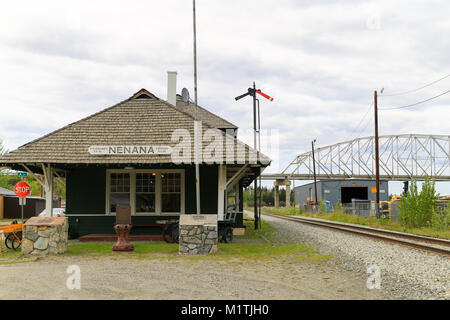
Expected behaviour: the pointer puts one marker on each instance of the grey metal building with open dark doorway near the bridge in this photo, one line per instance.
(342, 191)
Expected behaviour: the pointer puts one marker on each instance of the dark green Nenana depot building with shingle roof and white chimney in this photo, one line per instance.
(140, 152)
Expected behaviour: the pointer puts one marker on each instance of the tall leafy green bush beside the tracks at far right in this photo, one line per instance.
(416, 209)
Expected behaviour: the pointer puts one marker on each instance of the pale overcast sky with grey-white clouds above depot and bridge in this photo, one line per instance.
(320, 60)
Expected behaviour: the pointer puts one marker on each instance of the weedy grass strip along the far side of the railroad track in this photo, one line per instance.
(370, 222)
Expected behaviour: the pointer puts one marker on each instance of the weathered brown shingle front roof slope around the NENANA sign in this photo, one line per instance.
(142, 120)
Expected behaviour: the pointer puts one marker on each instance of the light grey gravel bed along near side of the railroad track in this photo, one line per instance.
(406, 273)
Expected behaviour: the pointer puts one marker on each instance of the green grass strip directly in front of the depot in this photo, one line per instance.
(256, 245)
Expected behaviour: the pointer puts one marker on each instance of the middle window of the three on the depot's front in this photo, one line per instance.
(145, 192)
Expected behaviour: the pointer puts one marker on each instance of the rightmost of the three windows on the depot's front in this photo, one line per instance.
(170, 192)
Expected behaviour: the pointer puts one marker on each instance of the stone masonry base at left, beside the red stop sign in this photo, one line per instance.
(45, 235)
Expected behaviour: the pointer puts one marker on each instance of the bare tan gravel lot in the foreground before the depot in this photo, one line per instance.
(122, 277)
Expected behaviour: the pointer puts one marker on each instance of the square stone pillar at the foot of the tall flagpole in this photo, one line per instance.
(198, 234)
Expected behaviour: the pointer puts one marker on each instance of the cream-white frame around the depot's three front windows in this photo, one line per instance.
(158, 193)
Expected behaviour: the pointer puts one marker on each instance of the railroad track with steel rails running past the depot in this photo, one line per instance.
(441, 246)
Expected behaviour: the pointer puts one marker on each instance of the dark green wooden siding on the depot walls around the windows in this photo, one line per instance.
(86, 194)
